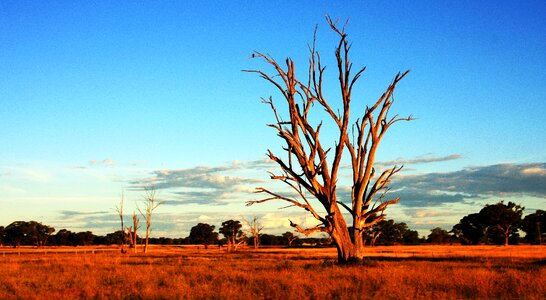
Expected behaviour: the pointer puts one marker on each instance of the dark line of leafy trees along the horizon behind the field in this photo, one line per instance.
(498, 224)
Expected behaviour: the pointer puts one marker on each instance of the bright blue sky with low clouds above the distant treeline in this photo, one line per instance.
(97, 98)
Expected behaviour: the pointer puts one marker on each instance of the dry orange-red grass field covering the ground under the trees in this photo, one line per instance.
(399, 272)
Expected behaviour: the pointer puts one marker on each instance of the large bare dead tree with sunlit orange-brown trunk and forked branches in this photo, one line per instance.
(310, 168)
